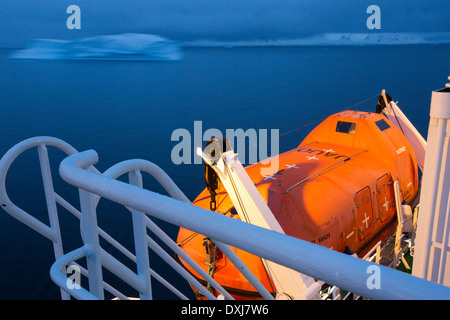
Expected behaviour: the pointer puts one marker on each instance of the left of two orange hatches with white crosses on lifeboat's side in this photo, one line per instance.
(363, 202)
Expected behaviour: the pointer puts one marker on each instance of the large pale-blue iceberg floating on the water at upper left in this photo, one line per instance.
(129, 46)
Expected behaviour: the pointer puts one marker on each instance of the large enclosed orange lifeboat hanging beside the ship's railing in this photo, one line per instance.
(336, 189)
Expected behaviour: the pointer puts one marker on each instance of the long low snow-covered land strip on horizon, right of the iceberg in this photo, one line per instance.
(335, 39)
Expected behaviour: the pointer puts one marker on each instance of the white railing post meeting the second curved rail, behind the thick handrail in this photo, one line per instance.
(140, 241)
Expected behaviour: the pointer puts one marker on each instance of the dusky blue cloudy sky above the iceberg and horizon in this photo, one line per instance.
(215, 19)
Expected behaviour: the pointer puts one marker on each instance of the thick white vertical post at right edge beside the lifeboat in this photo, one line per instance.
(432, 247)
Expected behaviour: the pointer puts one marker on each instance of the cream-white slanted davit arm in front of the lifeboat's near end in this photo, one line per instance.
(252, 208)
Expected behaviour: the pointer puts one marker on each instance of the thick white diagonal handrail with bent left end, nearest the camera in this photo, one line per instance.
(335, 268)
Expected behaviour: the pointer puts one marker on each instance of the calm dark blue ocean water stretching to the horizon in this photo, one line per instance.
(126, 110)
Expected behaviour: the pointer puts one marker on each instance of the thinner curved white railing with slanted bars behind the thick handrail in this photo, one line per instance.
(140, 222)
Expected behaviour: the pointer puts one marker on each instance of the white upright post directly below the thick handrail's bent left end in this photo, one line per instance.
(89, 234)
